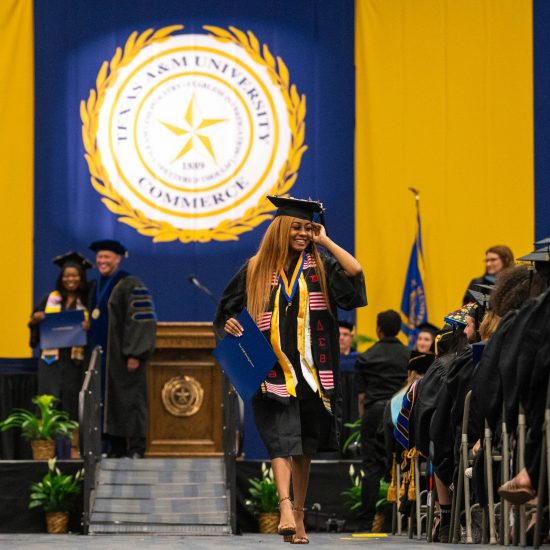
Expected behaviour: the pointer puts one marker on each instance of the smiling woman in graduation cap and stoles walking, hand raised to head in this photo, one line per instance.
(292, 291)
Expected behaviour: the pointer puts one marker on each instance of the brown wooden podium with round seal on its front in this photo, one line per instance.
(185, 387)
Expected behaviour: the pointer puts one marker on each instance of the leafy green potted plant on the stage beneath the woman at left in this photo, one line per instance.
(43, 429)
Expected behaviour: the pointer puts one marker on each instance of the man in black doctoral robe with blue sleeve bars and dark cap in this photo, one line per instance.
(123, 323)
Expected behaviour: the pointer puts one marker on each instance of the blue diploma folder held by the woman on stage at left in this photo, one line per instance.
(62, 330)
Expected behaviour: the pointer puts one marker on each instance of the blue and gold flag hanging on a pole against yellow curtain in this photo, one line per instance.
(414, 310)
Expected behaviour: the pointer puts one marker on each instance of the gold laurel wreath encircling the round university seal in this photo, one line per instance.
(160, 231)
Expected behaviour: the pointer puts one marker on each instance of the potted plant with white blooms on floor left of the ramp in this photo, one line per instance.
(55, 493)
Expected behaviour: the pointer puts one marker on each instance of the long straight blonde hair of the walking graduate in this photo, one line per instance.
(271, 258)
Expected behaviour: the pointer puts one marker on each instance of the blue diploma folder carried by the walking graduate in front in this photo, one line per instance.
(246, 359)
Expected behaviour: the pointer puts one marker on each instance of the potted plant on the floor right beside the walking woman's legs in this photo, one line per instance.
(263, 500)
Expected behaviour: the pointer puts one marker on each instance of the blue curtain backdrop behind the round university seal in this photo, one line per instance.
(72, 39)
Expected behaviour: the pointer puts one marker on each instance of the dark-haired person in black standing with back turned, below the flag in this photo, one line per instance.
(380, 372)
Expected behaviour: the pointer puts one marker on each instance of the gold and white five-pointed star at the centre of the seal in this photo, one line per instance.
(195, 129)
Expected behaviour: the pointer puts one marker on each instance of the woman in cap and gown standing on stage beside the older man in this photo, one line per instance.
(60, 371)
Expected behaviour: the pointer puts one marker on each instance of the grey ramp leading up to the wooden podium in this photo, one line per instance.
(164, 496)
